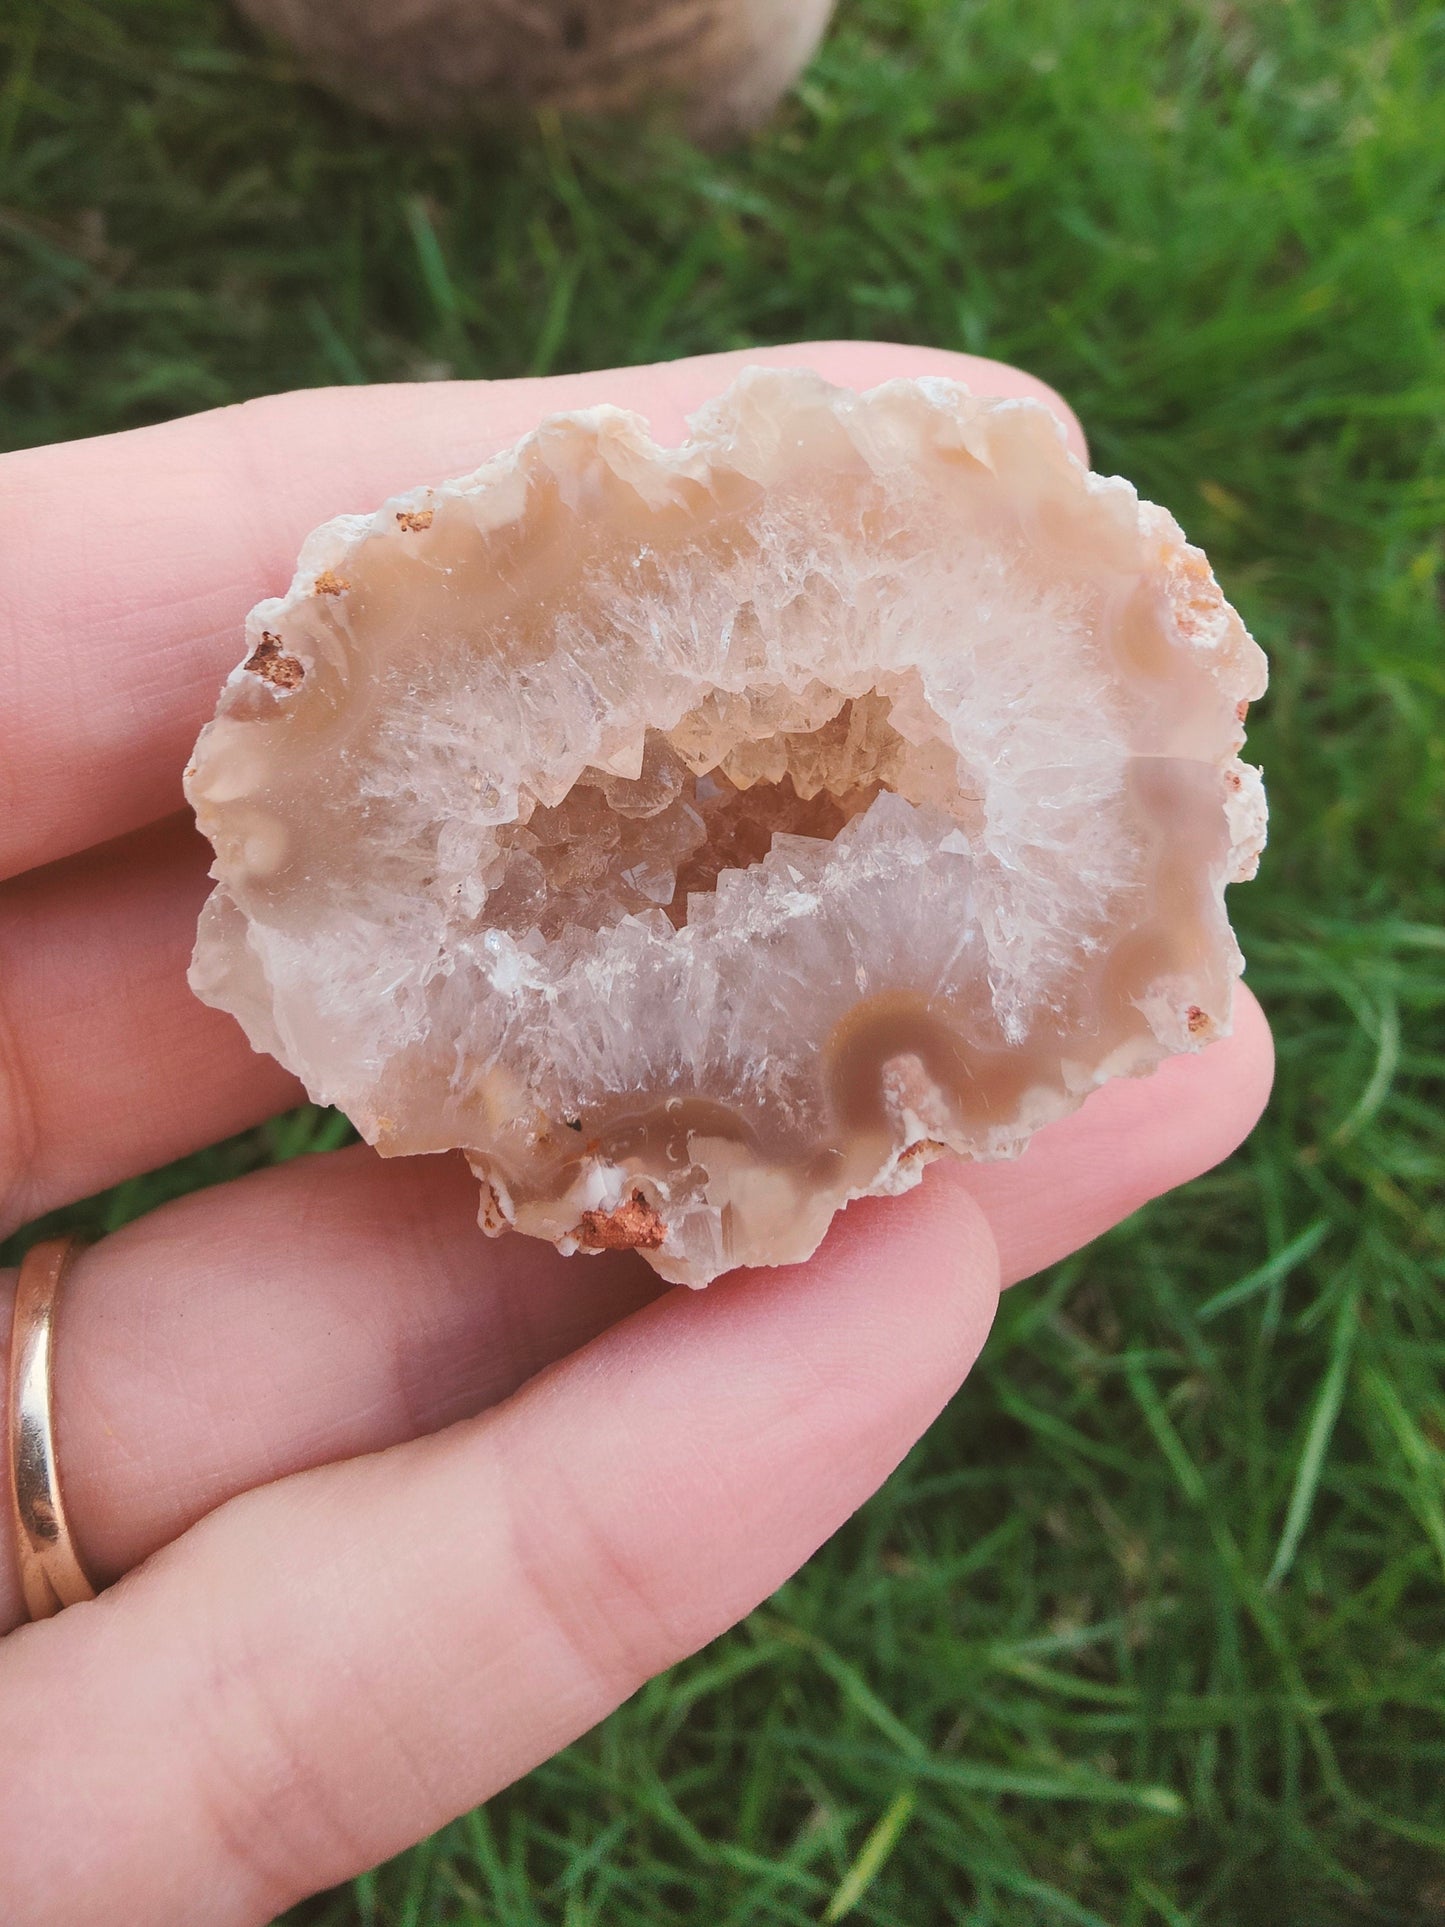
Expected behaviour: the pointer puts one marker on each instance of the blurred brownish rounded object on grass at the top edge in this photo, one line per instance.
(722, 66)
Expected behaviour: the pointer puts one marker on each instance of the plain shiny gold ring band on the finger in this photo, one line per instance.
(49, 1568)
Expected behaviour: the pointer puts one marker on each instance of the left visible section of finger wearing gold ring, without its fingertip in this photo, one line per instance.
(307, 1313)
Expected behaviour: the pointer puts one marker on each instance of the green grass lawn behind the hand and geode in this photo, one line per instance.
(1151, 1627)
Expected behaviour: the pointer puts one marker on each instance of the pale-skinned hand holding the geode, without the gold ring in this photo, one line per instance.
(388, 1514)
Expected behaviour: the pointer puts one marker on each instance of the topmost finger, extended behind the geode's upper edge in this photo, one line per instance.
(134, 560)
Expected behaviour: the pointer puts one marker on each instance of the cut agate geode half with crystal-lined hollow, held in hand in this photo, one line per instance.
(706, 837)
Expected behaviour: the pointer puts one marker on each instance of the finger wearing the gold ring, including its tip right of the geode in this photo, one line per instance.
(338, 1306)
